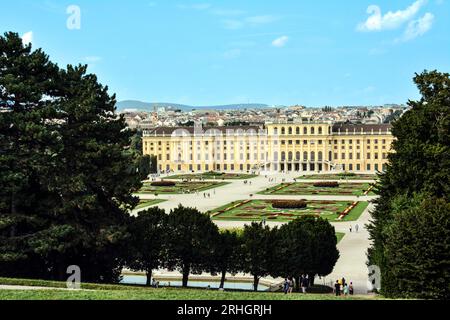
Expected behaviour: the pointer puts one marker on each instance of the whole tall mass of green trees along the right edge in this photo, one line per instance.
(411, 223)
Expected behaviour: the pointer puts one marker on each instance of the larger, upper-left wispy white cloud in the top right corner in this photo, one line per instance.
(390, 20)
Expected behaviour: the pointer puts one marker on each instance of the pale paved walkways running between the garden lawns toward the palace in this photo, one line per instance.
(353, 247)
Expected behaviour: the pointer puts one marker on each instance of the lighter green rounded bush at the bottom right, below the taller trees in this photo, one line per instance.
(417, 249)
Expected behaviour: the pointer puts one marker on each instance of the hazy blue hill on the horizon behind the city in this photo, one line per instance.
(149, 106)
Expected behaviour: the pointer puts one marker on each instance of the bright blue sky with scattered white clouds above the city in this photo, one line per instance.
(283, 52)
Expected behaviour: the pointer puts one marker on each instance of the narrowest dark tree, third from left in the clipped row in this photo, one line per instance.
(226, 254)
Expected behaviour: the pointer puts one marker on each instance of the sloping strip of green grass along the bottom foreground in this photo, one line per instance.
(55, 291)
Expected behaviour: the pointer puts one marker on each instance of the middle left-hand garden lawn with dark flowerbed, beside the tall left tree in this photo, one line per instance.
(181, 187)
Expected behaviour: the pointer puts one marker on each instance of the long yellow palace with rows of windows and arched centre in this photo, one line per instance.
(274, 147)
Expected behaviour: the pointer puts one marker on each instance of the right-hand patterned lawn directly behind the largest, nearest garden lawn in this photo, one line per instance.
(303, 188)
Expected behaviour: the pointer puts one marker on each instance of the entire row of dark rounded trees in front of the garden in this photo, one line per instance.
(188, 241)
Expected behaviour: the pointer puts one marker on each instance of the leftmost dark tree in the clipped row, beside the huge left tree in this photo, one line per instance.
(147, 241)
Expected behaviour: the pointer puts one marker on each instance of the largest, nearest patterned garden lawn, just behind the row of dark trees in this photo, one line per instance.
(259, 210)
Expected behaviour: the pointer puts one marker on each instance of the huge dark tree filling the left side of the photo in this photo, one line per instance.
(66, 180)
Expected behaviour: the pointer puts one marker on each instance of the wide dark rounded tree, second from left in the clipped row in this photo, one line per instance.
(190, 241)
